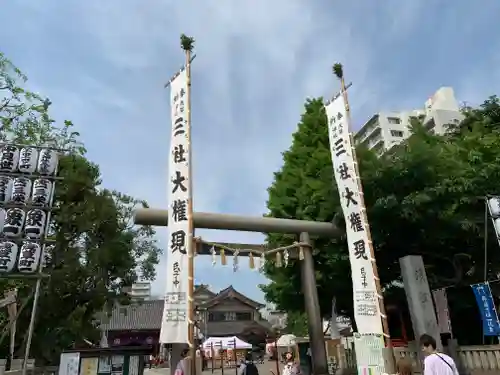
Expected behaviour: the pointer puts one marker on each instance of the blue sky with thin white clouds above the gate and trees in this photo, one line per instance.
(103, 65)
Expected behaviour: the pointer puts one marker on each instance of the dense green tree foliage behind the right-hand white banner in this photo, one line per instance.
(424, 197)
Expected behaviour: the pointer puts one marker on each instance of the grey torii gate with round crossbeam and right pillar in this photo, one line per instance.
(304, 229)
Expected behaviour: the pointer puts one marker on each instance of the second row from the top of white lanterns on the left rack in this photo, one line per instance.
(21, 190)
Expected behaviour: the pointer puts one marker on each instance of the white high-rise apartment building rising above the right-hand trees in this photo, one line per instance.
(386, 129)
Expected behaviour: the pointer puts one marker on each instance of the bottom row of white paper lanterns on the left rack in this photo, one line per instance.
(25, 257)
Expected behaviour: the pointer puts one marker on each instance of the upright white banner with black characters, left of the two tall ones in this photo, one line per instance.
(175, 323)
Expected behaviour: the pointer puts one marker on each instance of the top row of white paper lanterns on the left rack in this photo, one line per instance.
(28, 160)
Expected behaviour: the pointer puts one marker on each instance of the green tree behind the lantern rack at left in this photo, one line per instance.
(97, 250)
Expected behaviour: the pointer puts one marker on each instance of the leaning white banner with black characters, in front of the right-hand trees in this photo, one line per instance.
(366, 304)
